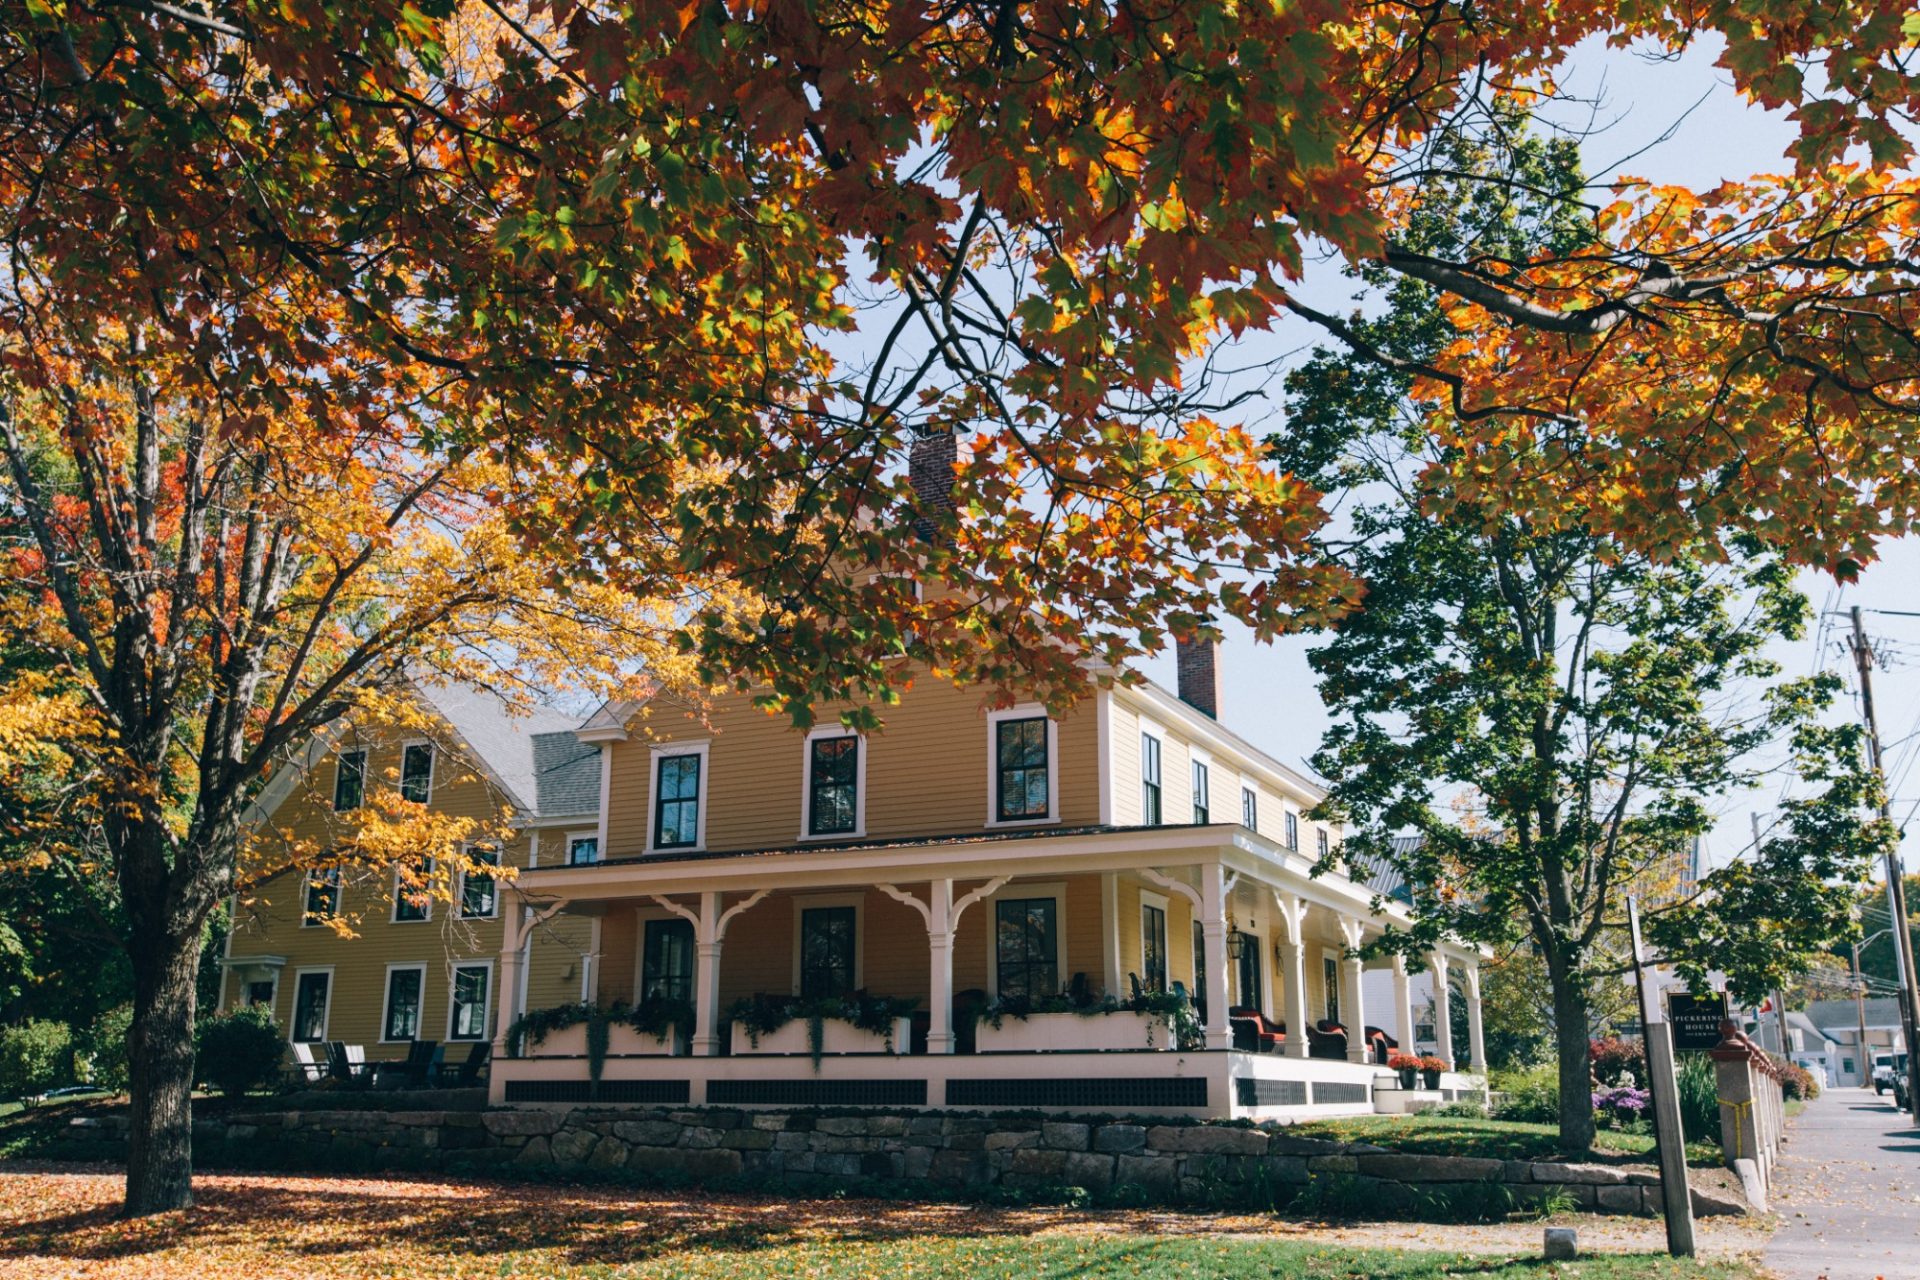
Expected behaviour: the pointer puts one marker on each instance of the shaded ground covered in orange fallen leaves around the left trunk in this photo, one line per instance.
(343, 1218)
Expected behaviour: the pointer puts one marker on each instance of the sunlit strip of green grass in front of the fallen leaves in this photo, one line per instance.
(1059, 1258)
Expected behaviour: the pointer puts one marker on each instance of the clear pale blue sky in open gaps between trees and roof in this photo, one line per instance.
(1671, 122)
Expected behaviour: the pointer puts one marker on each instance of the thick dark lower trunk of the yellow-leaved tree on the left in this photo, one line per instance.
(160, 1058)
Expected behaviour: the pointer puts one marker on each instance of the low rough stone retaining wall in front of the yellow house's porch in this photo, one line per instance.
(930, 1154)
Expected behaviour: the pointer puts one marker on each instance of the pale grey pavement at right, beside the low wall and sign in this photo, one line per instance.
(1848, 1193)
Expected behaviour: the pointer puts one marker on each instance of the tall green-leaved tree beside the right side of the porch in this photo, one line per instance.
(1585, 701)
